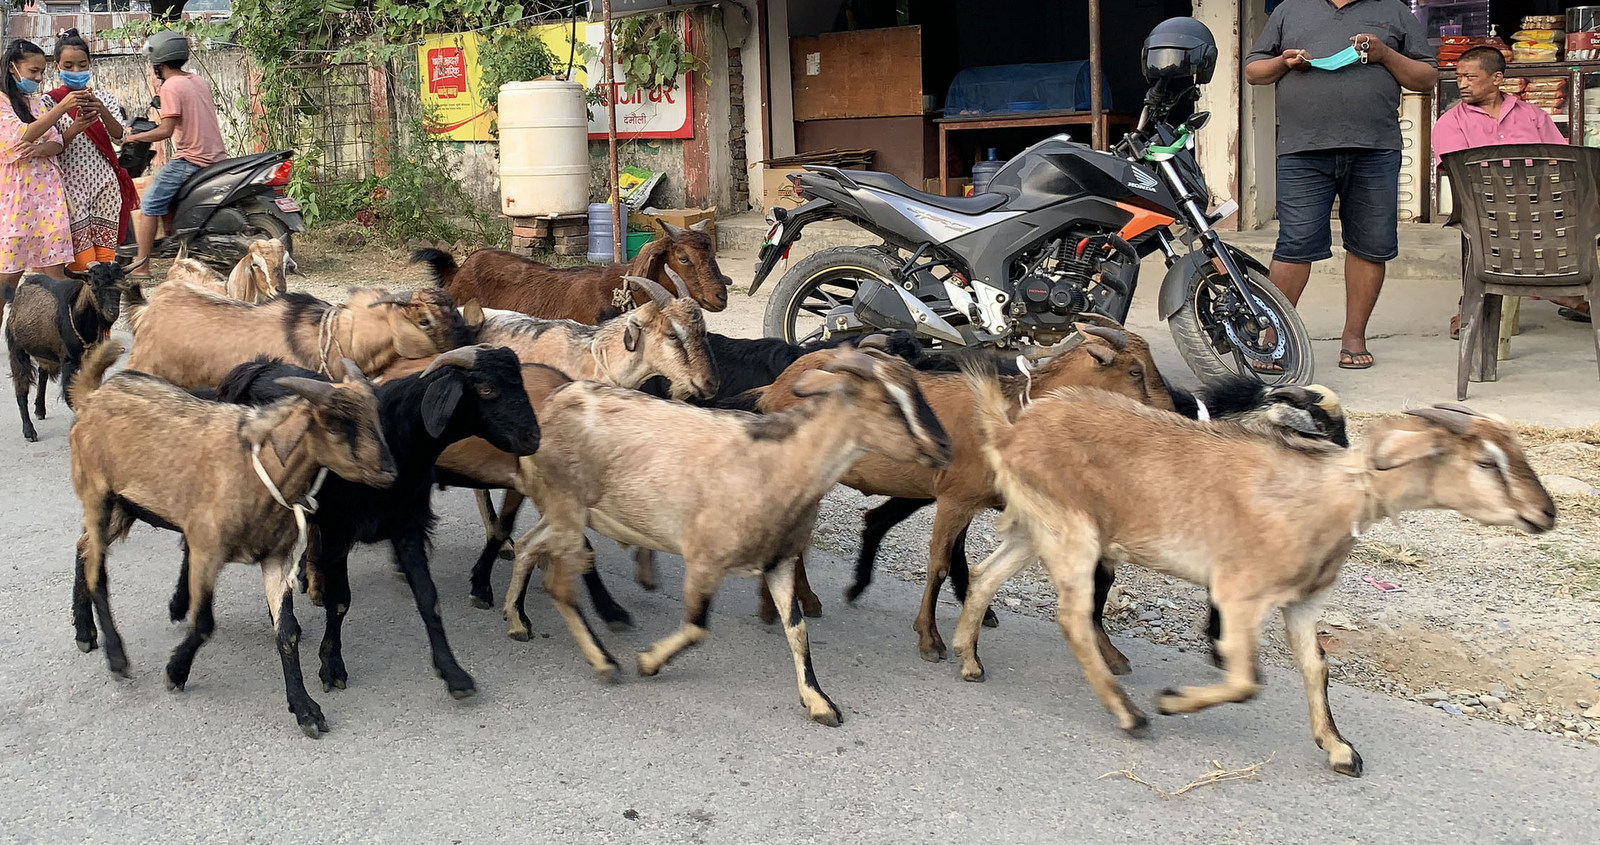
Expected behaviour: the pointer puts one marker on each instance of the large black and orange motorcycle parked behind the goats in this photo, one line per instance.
(1057, 239)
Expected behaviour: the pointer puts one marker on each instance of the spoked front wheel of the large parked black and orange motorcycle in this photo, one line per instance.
(1204, 342)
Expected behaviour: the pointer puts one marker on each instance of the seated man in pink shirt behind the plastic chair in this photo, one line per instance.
(1487, 118)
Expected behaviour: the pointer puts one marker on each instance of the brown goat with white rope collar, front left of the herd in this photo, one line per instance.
(146, 451)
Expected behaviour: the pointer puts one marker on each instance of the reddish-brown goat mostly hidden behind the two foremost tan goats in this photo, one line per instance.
(1111, 359)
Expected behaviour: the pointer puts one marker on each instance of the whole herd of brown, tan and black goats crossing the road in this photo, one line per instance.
(270, 427)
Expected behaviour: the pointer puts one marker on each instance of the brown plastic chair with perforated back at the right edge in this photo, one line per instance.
(1530, 222)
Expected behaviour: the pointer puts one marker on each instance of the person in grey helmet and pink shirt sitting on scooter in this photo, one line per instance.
(190, 119)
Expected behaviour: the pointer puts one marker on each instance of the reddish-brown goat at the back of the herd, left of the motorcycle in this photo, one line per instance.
(497, 279)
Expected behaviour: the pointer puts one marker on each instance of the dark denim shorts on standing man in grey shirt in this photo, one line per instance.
(1369, 190)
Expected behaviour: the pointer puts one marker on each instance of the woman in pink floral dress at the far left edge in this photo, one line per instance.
(34, 230)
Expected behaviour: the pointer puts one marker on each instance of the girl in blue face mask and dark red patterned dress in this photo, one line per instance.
(100, 193)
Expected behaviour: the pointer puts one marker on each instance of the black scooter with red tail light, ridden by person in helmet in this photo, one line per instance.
(223, 207)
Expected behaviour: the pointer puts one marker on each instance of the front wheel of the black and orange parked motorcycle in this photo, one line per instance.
(1217, 337)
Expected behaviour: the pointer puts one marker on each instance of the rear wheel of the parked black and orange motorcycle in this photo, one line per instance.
(820, 284)
